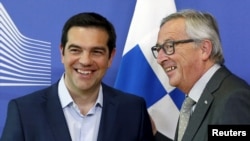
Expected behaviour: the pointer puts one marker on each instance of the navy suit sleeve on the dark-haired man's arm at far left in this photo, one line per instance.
(12, 130)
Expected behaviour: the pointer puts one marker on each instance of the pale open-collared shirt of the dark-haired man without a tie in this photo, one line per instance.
(81, 127)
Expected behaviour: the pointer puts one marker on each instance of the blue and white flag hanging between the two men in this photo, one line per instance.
(139, 72)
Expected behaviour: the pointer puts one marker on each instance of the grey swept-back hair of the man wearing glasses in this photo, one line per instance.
(200, 26)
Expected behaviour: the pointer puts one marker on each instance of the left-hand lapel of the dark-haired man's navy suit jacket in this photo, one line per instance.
(56, 118)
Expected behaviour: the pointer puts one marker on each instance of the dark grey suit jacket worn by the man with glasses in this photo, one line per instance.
(225, 100)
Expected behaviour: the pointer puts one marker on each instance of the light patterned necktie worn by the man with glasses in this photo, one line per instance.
(184, 116)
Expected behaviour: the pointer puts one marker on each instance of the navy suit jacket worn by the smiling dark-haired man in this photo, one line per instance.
(39, 117)
